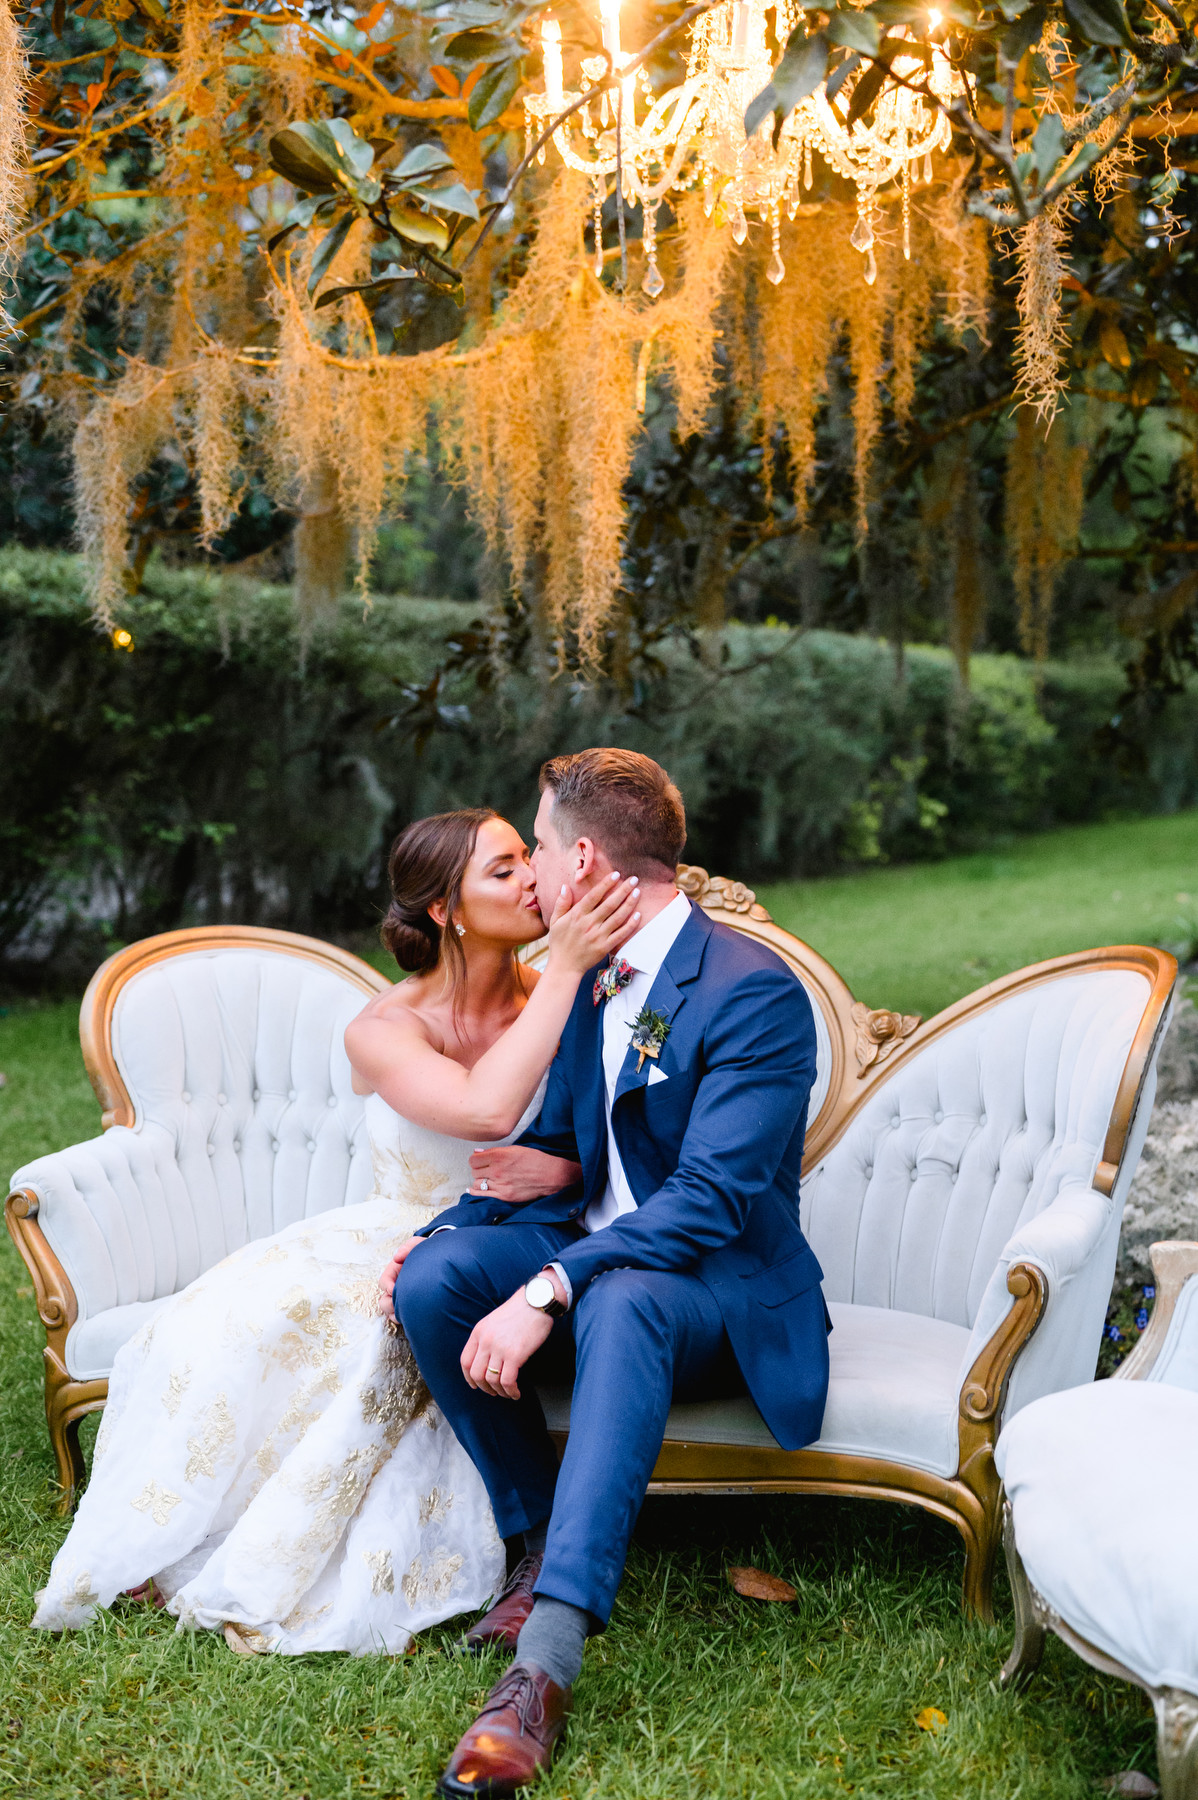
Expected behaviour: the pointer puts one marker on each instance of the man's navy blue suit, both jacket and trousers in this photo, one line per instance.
(706, 1282)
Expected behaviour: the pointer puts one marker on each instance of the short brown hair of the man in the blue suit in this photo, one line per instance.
(625, 802)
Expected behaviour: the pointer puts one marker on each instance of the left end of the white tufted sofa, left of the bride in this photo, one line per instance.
(229, 1113)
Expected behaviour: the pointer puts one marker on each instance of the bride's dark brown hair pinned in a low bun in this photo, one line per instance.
(427, 863)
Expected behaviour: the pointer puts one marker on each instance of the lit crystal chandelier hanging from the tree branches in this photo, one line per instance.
(695, 132)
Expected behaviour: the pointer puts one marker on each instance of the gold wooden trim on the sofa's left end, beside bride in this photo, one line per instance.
(67, 1401)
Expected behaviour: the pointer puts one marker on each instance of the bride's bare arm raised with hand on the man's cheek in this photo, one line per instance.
(488, 1101)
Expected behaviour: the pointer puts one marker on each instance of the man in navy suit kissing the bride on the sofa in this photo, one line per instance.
(675, 1272)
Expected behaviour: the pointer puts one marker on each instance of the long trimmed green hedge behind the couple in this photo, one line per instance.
(237, 768)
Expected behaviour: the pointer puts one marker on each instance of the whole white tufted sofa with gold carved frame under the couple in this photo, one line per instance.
(963, 1191)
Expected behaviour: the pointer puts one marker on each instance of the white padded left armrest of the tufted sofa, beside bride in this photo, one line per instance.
(109, 1212)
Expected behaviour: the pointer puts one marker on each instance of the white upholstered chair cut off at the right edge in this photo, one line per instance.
(1102, 1491)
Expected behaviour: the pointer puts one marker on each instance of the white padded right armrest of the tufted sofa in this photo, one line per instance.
(1073, 1245)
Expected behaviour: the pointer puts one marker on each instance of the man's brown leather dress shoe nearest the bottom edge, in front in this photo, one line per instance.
(514, 1740)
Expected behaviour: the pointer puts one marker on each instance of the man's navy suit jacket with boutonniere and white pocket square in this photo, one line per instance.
(713, 1156)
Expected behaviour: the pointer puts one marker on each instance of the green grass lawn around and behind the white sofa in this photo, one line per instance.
(693, 1691)
